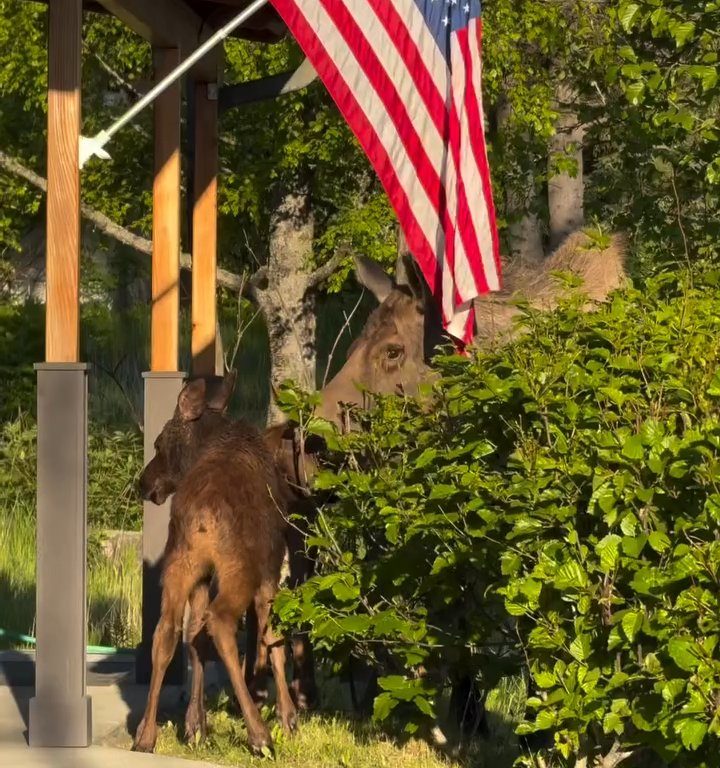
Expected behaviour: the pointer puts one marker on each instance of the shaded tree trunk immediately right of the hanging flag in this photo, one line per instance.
(525, 228)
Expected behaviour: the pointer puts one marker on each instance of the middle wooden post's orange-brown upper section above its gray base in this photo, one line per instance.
(166, 220)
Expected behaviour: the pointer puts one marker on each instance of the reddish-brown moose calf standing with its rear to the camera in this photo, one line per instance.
(226, 523)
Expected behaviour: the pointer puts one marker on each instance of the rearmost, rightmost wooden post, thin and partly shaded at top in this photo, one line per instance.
(204, 240)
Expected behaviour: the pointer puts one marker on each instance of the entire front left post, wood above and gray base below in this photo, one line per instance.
(60, 712)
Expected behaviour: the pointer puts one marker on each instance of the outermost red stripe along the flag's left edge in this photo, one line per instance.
(368, 138)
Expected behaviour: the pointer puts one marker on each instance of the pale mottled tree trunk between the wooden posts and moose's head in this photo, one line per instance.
(286, 299)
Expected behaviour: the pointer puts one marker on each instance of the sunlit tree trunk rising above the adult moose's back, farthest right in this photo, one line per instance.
(566, 192)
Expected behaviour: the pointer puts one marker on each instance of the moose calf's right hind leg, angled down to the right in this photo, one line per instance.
(233, 598)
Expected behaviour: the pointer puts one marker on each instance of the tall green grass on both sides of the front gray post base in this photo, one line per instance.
(114, 585)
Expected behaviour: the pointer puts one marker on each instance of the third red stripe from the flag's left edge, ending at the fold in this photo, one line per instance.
(414, 60)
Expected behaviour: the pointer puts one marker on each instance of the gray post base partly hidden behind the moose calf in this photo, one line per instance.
(161, 393)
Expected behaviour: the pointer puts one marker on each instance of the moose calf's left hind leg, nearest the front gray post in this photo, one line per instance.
(178, 580)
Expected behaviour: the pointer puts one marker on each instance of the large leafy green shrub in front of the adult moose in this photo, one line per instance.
(553, 505)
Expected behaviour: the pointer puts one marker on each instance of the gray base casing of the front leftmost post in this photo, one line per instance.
(61, 712)
